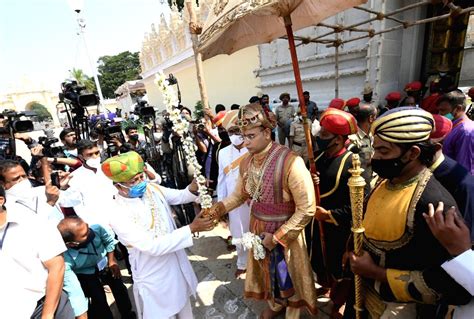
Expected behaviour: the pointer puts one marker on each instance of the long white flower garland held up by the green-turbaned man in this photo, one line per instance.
(181, 127)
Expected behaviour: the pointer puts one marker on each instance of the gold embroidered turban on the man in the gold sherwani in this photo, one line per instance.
(253, 115)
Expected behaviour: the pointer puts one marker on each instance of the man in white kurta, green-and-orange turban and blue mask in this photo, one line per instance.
(142, 219)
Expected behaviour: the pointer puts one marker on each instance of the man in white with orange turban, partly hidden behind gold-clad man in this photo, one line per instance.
(229, 160)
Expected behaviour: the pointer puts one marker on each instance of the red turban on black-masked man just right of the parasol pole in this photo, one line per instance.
(338, 122)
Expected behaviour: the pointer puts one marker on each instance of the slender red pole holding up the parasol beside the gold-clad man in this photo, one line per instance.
(307, 131)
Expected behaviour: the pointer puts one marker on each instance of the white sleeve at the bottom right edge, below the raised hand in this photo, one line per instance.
(461, 269)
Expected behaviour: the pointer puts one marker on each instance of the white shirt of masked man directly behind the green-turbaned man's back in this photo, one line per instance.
(94, 191)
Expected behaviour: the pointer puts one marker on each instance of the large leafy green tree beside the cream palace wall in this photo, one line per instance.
(116, 69)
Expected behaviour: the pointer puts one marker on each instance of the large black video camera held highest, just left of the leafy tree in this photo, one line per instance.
(72, 93)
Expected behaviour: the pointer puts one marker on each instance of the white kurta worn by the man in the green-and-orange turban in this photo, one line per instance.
(163, 276)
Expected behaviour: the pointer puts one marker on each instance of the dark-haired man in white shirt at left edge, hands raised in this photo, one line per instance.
(42, 200)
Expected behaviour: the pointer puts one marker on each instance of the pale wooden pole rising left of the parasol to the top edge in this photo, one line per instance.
(195, 29)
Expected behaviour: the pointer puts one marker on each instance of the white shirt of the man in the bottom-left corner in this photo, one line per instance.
(29, 241)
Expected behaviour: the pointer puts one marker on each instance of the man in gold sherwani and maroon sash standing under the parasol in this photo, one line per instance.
(278, 187)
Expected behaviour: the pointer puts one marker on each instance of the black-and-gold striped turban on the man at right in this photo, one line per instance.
(404, 125)
